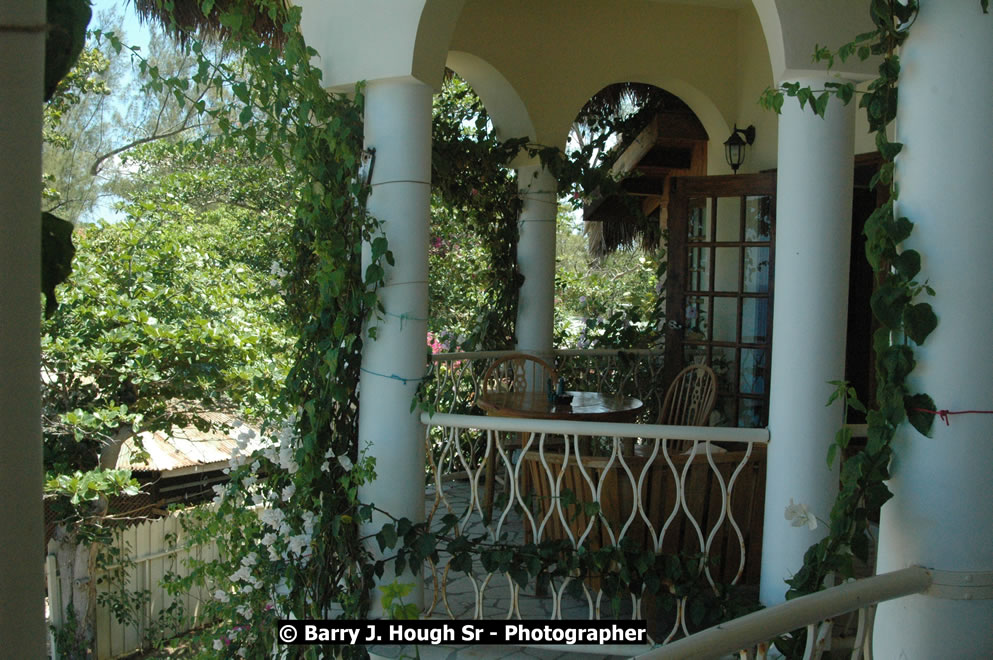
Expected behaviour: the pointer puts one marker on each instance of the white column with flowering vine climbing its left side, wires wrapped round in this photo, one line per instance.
(398, 126)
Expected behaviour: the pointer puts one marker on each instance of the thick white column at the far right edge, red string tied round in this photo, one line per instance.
(940, 516)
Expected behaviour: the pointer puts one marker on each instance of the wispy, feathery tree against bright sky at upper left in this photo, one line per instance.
(105, 107)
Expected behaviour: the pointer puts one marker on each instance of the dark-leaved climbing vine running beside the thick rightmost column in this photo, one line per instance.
(904, 322)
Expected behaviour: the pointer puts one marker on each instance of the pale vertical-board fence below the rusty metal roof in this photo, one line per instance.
(139, 558)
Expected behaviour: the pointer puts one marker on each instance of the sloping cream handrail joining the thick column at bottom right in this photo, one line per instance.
(815, 613)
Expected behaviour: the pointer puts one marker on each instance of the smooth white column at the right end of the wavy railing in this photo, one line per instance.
(813, 235)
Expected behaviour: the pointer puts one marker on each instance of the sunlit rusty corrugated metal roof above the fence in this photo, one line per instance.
(188, 446)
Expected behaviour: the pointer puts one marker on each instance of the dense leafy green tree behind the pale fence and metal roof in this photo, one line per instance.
(174, 311)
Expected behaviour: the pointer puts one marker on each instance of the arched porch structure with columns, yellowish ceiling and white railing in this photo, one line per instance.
(534, 65)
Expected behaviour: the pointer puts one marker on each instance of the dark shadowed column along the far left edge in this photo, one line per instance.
(22, 56)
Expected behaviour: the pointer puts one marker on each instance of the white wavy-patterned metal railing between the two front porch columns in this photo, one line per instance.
(674, 490)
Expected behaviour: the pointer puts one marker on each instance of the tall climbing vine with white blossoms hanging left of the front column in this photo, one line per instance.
(288, 520)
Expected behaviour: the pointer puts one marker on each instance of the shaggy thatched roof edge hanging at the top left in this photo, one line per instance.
(190, 20)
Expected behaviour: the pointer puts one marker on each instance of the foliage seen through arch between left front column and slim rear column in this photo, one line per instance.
(474, 209)
